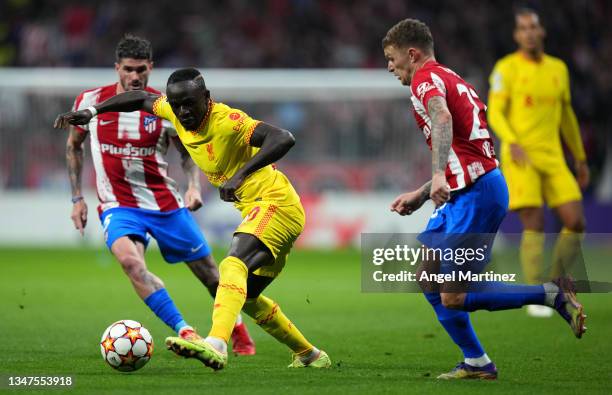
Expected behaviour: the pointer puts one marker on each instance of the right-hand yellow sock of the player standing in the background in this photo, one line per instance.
(566, 255)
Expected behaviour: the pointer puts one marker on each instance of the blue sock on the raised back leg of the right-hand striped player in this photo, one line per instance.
(496, 295)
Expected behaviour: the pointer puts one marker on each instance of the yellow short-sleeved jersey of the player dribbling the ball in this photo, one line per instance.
(221, 146)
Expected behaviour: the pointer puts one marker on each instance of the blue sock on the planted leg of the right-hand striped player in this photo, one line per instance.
(458, 326)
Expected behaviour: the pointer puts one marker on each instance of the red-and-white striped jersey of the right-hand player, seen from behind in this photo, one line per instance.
(472, 153)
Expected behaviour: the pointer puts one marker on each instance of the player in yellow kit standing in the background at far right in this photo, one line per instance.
(529, 109)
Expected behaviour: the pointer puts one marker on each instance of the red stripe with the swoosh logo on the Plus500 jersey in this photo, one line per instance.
(108, 129)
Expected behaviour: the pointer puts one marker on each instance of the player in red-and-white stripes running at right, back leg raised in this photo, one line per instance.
(471, 199)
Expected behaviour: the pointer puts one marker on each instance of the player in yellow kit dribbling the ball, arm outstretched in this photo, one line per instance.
(236, 153)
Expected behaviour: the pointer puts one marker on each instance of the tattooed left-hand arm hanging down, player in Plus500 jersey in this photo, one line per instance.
(74, 162)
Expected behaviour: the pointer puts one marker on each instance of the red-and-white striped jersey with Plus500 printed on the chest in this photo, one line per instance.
(128, 151)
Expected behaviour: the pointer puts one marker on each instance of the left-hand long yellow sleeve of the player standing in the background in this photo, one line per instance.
(499, 97)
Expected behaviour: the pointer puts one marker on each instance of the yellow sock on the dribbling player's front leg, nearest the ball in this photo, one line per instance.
(231, 295)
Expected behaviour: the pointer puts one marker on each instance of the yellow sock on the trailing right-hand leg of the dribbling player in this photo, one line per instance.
(270, 318)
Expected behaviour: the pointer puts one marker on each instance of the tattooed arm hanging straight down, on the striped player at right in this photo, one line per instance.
(441, 140)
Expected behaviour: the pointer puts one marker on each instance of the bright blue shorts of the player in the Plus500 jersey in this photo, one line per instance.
(176, 232)
